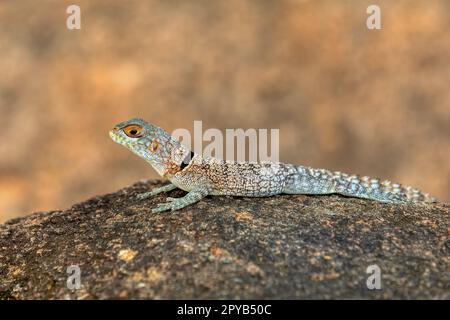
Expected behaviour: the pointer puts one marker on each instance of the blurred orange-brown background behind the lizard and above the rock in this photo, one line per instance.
(344, 97)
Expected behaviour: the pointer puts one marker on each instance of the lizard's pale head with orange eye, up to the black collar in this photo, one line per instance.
(149, 142)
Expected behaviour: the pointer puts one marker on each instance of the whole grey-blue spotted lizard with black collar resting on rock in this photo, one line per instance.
(202, 176)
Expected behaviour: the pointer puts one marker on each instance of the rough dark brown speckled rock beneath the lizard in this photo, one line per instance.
(228, 247)
